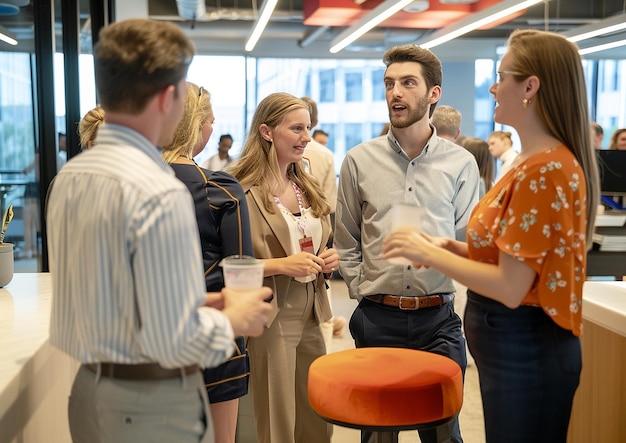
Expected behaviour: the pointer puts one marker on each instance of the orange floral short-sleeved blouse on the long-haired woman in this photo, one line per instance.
(537, 214)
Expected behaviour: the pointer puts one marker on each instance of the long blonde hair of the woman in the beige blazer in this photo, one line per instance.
(258, 163)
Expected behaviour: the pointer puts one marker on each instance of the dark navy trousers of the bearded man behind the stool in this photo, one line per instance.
(436, 330)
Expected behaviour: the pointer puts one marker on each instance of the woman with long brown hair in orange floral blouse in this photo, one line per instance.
(525, 257)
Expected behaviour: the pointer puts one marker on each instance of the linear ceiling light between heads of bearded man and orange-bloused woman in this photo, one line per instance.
(486, 16)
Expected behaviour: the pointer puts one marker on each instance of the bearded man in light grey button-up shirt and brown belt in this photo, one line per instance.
(400, 306)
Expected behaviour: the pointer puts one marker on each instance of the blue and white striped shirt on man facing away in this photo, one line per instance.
(125, 260)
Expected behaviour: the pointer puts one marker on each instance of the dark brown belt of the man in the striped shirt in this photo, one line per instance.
(138, 372)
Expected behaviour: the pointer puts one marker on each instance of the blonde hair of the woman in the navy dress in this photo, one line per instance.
(188, 133)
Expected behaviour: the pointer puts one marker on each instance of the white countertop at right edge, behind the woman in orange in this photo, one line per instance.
(604, 303)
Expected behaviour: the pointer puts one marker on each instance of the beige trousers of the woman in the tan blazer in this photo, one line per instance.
(279, 369)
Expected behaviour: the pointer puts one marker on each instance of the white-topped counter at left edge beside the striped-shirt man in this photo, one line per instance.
(35, 378)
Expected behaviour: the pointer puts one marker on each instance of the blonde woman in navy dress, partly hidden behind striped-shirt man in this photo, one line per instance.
(224, 225)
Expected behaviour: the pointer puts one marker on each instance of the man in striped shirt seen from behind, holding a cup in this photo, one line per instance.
(129, 294)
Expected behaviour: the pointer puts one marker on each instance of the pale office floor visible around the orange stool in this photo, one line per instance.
(471, 418)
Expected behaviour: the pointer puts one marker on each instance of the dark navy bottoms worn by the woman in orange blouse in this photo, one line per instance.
(528, 367)
